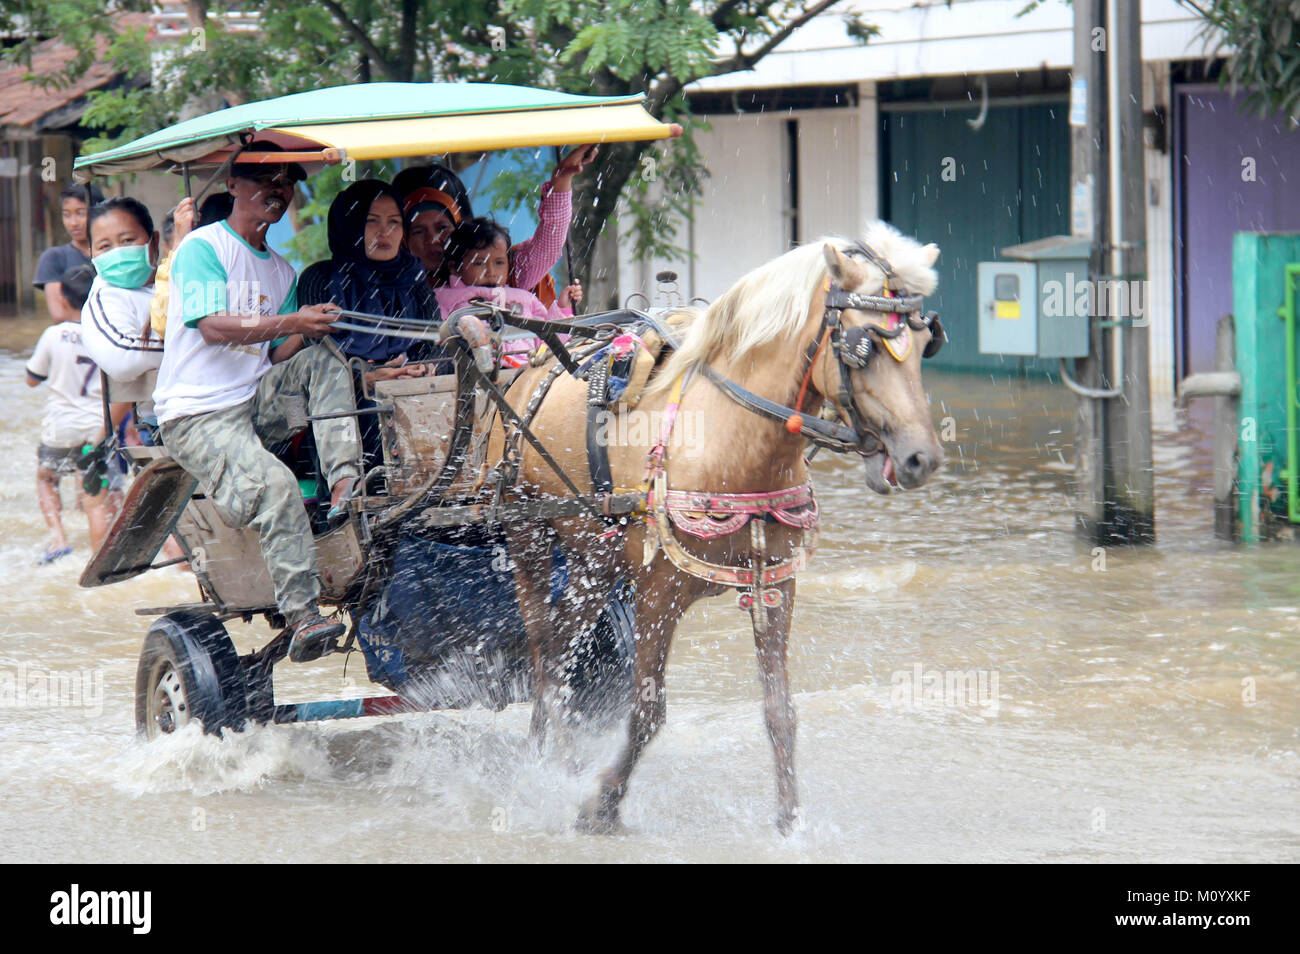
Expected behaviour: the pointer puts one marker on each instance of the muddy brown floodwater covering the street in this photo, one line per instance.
(1128, 706)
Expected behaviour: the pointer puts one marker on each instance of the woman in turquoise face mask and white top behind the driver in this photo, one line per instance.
(116, 316)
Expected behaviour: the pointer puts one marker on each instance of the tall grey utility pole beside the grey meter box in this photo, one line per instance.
(1115, 474)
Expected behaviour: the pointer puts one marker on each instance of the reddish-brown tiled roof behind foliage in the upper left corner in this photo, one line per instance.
(28, 107)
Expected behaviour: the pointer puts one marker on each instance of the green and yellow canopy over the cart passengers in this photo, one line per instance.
(387, 122)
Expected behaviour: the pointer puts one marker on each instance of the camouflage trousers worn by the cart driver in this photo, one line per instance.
(250, 487)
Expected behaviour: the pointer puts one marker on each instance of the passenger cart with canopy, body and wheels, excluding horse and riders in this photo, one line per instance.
(419, 567)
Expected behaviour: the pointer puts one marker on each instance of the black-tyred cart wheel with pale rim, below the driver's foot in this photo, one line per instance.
(189, 671)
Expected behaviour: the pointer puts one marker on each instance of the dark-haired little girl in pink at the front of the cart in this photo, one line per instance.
(479, 255)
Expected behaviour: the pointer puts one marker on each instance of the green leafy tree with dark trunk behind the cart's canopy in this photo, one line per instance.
(609, 47)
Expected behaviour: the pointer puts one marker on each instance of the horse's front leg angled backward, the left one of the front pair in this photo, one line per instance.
(600, 816)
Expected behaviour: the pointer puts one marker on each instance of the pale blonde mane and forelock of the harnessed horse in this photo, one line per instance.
(773, 301)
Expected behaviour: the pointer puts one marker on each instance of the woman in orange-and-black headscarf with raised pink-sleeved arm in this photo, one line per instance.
(436, 203)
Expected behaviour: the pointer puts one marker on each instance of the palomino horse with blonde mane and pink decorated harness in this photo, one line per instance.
(749, 515)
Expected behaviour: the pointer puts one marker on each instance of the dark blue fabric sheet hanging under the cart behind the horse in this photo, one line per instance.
(440, 600)
